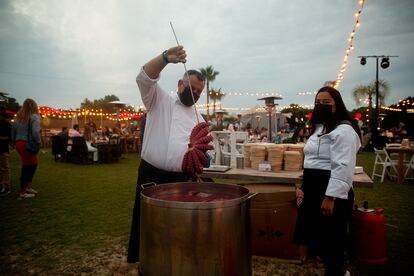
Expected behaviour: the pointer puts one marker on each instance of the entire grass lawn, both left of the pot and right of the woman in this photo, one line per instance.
(80, 221)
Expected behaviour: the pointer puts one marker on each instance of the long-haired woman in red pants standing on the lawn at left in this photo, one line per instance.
(27, 115)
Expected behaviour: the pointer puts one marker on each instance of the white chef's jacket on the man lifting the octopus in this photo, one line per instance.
(168, 126)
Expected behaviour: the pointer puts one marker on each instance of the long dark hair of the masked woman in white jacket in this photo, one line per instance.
(341, 113)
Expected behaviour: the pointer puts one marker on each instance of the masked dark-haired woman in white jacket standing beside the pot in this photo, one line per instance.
(326, 196)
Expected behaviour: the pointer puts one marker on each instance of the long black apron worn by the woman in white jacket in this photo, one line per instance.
(325, 236)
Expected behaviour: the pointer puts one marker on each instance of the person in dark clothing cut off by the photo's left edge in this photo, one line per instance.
(5, 140)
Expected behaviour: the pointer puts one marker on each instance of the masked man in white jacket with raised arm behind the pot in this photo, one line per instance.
(170, 120)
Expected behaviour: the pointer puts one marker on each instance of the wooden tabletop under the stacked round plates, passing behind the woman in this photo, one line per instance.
(361, 180)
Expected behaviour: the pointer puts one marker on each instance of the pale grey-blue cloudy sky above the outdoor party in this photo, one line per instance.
(61, 52)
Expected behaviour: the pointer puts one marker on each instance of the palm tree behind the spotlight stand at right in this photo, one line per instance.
(362, 91)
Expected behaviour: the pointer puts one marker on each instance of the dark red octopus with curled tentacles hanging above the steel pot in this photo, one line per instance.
(195, 159)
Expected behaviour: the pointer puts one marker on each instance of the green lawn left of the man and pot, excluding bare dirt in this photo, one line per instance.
(80, 211)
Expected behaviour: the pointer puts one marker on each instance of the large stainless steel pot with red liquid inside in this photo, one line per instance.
(195, 238)
